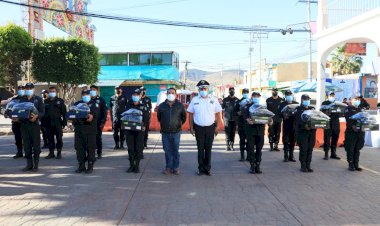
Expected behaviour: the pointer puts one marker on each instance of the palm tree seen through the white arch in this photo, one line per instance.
(343, 64)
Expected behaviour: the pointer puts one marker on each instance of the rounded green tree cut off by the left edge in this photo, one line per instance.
(15, 49)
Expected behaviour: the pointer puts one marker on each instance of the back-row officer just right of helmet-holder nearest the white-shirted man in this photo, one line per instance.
(273, 105)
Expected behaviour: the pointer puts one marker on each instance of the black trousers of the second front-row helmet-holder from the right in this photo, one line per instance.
(306, 142)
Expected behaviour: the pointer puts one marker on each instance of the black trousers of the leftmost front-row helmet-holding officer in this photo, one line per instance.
(31, 139)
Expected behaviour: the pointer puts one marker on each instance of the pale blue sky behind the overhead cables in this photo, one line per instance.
(209, 50)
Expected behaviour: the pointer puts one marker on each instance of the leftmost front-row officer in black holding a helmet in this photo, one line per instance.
(30, 129)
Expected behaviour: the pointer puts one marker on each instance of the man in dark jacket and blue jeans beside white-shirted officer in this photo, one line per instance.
(172, 115)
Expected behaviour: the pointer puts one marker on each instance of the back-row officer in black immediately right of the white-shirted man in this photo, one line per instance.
(230, 115)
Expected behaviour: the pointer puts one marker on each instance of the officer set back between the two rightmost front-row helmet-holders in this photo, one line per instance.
(331, 135)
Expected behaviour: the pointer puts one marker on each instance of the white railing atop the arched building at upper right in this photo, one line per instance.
(339, 11)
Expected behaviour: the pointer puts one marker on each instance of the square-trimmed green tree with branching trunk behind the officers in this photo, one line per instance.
(68, 63)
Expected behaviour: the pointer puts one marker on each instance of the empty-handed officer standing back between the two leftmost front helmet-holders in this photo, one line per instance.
(55, 115)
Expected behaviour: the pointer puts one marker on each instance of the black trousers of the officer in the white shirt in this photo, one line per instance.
(205, 138)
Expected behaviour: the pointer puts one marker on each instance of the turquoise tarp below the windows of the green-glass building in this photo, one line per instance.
(139, 73)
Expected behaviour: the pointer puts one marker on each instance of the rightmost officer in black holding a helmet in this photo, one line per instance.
(354, 136)
